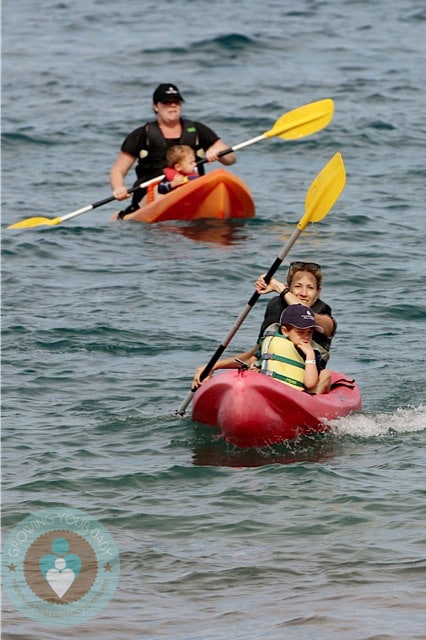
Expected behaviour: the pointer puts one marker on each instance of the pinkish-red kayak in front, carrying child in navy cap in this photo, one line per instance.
(251, 409)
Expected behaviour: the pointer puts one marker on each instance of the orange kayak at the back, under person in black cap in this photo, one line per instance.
(218, 194)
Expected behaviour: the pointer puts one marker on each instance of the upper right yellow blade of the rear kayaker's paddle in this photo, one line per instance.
(303, 121)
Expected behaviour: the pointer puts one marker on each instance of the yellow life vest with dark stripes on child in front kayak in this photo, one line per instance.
(280, 359)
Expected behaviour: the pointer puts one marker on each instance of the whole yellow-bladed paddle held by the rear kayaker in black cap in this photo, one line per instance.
(299, 123)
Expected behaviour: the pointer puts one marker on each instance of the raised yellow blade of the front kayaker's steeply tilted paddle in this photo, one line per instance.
(324, 191)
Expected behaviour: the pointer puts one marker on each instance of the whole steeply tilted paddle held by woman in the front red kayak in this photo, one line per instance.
(320, 198)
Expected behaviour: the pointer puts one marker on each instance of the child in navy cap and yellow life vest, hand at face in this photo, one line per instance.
(287, 353)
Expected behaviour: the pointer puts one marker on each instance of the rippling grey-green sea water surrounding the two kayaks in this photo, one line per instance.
(105, 323)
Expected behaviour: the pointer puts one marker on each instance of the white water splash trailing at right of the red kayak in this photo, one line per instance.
(401, 421)
